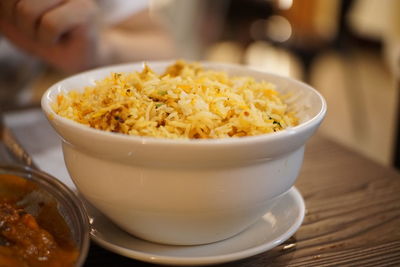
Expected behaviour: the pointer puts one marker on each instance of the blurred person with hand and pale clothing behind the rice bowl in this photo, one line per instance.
(73, 35)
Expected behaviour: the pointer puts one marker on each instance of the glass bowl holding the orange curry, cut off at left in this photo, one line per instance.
(43, 191)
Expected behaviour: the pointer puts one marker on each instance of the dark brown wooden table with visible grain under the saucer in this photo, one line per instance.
(352, 219)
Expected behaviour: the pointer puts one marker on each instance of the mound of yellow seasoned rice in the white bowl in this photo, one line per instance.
(187, 101)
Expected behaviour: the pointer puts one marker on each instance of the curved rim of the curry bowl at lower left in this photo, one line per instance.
(39, 177)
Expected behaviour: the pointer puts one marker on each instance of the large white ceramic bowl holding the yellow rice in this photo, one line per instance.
(184, 192)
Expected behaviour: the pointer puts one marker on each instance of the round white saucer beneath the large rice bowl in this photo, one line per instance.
(276, 226)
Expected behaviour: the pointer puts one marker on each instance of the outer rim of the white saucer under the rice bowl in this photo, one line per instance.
(209, 260)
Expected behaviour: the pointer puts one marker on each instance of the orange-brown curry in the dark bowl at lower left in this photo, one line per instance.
(28, 241)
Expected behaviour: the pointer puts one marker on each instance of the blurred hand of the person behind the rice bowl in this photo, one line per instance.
(61, 32)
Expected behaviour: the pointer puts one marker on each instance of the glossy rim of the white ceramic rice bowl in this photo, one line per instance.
(304, 126)
